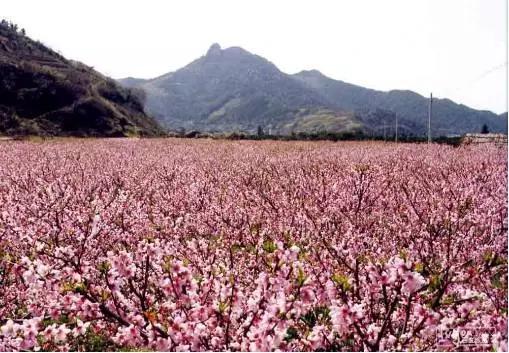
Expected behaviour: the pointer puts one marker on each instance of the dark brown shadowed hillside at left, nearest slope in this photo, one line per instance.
(43, 93)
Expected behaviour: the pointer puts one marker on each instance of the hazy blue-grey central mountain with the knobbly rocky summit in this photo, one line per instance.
(231, 90)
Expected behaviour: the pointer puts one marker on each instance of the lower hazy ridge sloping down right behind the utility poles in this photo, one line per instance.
(448, 117)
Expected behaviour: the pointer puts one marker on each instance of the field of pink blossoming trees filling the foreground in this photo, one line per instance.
(218, 245)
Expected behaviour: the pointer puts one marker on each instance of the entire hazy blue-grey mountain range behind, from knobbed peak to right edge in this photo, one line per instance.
(234, 90)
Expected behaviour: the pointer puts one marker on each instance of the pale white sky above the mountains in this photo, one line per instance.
(454, 48)
